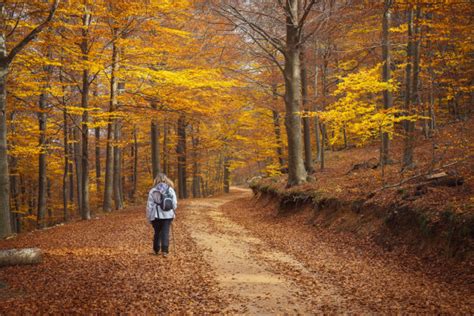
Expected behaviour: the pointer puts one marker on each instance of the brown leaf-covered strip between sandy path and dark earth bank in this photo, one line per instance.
(363, 272)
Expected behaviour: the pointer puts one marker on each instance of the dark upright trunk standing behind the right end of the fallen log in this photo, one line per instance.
(42, 186)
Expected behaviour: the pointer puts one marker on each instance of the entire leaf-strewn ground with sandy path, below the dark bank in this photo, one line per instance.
(229, 257)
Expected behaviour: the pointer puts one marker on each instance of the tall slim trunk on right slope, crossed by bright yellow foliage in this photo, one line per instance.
(386, 75)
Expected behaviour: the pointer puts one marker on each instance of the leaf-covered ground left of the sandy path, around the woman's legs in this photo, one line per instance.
(105, 266)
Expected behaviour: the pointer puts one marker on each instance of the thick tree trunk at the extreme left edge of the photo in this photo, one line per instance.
(5, 223)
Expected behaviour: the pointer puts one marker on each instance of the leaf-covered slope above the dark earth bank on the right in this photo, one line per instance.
(354, 173)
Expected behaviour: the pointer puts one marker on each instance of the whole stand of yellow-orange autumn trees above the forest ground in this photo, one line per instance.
(97, 97)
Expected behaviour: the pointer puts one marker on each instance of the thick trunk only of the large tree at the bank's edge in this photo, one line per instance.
(292, 73)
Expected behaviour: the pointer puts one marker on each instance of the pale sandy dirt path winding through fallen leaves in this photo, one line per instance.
(240, 261)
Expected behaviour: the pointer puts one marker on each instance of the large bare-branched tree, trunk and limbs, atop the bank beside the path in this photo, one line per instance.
(252, 22)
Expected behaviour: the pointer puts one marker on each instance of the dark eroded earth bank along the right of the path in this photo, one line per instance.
(434, 237)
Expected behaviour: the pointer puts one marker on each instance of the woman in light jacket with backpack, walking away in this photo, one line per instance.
(158, 215)
